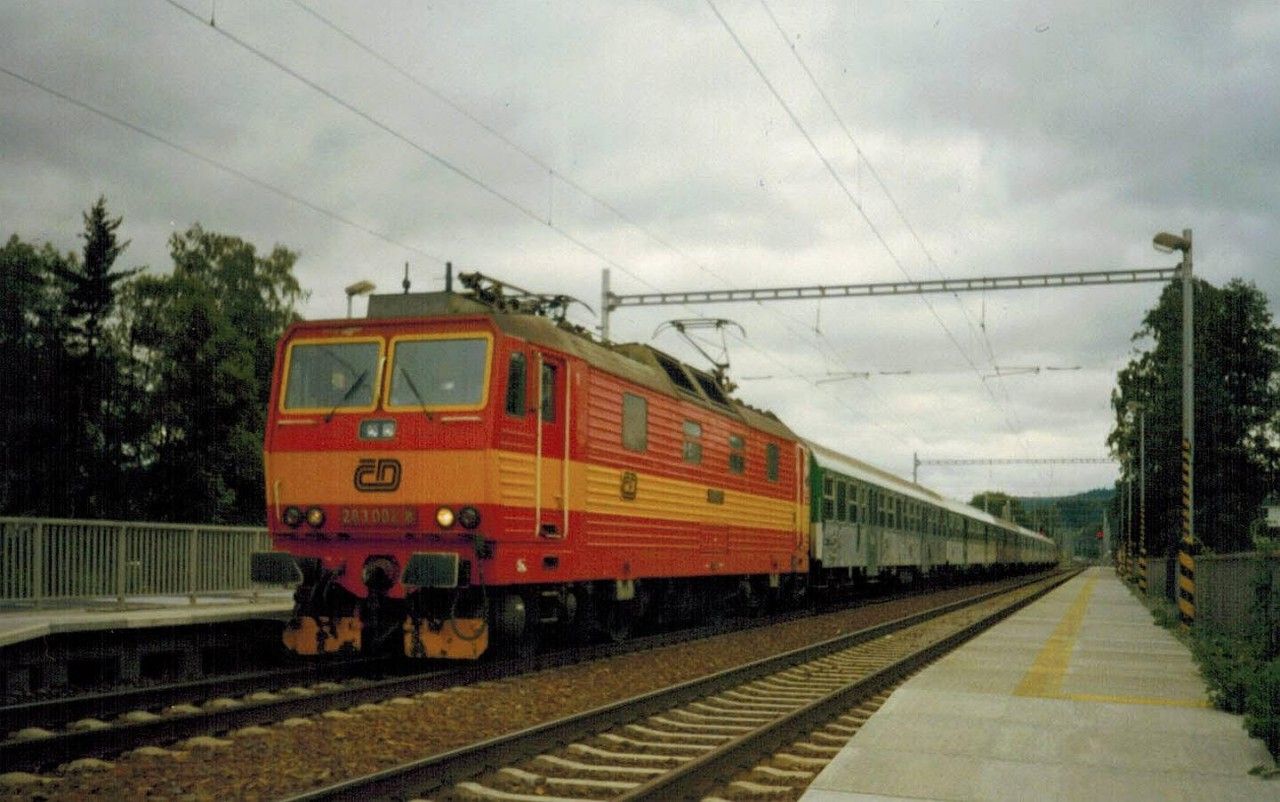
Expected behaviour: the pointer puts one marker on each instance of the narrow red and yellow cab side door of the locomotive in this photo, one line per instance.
(551, 448)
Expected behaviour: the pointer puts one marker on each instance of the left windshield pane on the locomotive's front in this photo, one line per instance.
(332, 375)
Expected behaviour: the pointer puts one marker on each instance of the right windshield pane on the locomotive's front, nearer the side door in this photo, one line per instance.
(440, 373)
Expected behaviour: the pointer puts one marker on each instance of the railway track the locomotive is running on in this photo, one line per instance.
(51, 732)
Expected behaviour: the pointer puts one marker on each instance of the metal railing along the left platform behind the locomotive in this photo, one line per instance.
(51, 560)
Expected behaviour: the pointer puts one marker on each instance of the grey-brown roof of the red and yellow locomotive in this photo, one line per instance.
(634, 363)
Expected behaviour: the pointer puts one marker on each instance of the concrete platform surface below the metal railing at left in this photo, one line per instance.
(20, 625)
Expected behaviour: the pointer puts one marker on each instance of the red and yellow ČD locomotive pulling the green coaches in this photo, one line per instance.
(461, 470)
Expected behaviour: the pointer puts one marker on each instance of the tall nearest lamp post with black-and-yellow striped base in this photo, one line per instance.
(1168, 244)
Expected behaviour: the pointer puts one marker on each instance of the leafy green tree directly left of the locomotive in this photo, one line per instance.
(207, 337)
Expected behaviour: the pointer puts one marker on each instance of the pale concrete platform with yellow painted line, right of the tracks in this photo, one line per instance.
(1078, 696)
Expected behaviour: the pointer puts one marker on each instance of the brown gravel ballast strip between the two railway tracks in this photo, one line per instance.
(268, 763)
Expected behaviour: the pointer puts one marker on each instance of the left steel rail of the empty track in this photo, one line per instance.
(447, 769)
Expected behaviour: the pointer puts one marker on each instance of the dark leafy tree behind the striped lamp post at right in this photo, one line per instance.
(1237, 414)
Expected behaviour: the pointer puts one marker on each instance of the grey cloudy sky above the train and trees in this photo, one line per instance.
(691, 145)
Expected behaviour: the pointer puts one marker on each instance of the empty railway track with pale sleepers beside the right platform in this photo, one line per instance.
(781, 718)
